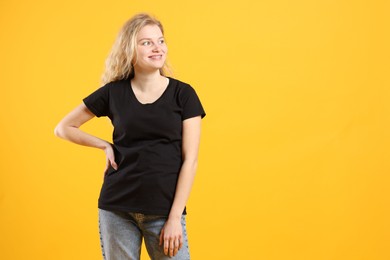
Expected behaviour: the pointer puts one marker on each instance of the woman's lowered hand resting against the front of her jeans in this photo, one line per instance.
(171, 236)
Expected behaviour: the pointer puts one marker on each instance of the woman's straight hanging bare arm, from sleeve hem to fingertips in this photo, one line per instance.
(171, 233)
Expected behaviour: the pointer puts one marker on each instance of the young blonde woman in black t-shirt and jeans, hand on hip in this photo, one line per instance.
(153, 159)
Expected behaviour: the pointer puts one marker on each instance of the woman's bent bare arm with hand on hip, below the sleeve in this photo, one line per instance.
(68, 129)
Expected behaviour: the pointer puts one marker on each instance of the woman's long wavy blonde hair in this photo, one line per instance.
(118, 64)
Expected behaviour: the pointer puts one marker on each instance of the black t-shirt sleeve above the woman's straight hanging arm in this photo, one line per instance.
(191, 104)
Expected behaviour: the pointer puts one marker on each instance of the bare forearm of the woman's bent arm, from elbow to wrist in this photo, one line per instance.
(77, 136)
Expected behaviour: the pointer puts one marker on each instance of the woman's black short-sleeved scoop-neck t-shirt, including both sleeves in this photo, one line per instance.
(147, 140)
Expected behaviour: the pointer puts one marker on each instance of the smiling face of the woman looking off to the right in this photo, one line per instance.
(151, 49)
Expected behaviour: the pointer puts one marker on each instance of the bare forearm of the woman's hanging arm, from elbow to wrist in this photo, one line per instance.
(183, 188)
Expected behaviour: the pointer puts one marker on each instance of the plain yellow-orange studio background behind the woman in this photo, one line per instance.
(294, 156)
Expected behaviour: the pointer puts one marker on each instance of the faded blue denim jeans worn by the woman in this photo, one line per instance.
(121, 236)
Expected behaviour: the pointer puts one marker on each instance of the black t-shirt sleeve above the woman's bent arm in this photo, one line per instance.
(98, 101)
